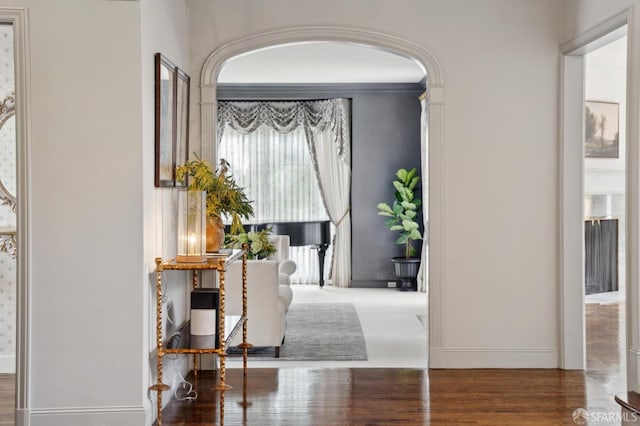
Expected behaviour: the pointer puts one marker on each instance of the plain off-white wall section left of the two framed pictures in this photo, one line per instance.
(86, 172)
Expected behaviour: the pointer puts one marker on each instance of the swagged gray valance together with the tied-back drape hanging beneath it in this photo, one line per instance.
(326, 125)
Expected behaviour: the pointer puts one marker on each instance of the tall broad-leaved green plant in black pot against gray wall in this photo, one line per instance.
(402, 217)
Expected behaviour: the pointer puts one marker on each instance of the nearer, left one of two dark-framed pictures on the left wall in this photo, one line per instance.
(165, 88)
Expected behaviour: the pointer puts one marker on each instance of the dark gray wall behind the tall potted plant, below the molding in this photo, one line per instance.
(386, 137)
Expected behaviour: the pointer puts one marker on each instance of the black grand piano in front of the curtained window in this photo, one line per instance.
(316, 234)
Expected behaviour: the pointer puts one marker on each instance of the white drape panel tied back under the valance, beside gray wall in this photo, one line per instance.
(335, 183)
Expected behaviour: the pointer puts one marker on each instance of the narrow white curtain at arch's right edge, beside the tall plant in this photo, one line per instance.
(423, 273)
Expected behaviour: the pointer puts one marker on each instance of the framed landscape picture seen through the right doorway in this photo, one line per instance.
(602, 129)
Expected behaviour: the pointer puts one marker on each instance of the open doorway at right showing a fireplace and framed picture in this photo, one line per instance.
(605, 93)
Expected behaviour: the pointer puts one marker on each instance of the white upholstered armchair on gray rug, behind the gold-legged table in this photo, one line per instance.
(268, 296)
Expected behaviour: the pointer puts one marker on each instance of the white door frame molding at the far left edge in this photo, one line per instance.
(19, 18)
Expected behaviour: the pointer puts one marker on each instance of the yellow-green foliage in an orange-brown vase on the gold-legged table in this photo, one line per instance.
(224, 197)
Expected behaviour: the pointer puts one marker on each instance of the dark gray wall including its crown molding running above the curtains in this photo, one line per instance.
(385, 137)
